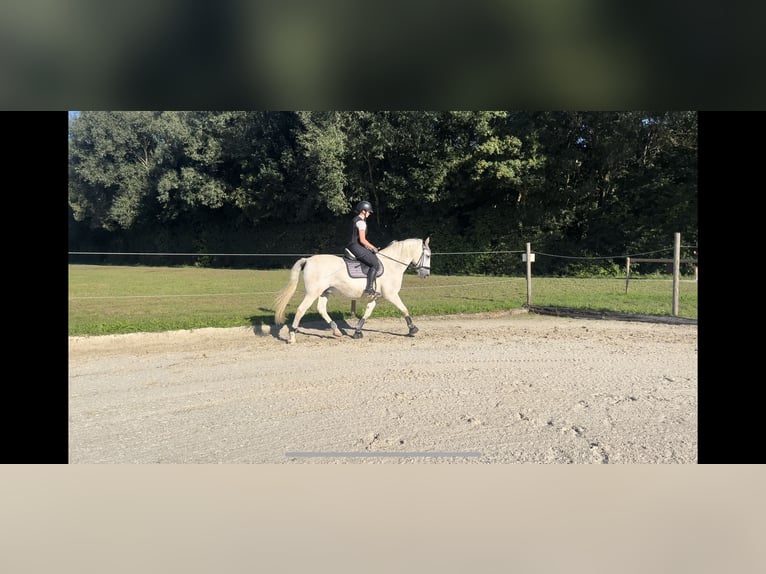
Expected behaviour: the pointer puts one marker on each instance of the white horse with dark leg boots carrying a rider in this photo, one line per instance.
(325, 275)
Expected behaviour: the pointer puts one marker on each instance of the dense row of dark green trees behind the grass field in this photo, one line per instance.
(579, 184)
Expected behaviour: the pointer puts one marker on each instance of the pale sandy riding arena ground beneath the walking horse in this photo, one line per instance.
(500, 388)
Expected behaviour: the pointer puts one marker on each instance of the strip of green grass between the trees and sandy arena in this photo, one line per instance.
(106, 300)
